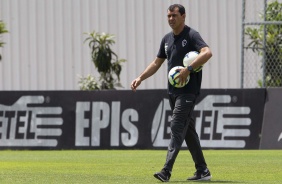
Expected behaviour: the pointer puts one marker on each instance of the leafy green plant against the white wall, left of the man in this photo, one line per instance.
(105, 61)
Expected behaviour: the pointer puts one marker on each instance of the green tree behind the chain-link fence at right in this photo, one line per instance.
(271, 49)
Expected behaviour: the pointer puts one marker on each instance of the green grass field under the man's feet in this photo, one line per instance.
(136, 166)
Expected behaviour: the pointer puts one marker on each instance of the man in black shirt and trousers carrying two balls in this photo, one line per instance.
(174, 45)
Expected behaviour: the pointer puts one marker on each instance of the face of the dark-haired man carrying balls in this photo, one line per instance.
(174, 18)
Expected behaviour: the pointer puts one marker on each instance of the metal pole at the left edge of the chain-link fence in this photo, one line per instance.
(242, 42)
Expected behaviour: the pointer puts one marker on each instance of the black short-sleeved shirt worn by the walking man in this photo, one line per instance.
(174, 48)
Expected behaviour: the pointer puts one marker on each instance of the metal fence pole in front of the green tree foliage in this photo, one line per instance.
(264, 60)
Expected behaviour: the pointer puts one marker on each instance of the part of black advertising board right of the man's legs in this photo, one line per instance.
(230, 118)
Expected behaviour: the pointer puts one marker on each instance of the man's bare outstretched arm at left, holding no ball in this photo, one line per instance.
(151, 69)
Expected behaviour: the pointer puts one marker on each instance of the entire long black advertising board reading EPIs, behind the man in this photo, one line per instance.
(123, 119)
